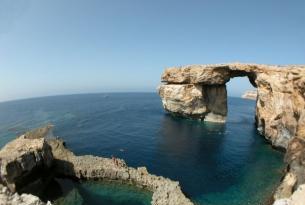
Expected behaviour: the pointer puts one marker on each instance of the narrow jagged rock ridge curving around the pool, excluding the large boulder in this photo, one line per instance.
(165, 191)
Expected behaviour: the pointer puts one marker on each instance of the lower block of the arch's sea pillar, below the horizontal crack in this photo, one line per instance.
(197, 101)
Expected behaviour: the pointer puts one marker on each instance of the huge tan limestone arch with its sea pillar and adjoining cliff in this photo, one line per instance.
(199, 91)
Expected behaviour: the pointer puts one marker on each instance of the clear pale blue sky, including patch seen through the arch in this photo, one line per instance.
(62, 47)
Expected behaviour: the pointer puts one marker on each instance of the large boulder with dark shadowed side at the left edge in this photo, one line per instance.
(23, 161)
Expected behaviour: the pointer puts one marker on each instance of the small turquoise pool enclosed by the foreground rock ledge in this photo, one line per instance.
(106, 193)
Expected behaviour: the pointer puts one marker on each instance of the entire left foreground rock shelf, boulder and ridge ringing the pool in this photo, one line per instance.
(28, 163)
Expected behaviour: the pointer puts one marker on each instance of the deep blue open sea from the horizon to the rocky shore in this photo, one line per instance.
(216, 164)
